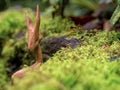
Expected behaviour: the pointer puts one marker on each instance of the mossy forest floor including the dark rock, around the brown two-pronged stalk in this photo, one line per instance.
(85, 56)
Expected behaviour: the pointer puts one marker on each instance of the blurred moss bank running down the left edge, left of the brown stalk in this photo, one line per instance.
(9, 27)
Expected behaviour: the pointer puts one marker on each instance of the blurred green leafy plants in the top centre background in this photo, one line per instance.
(74, 7)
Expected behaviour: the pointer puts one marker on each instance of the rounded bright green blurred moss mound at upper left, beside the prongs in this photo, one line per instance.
(11, 22)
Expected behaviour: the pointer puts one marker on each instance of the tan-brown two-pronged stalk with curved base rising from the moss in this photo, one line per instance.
(33, 44)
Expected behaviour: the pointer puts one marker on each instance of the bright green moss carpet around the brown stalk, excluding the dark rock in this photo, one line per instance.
(85, 67)
